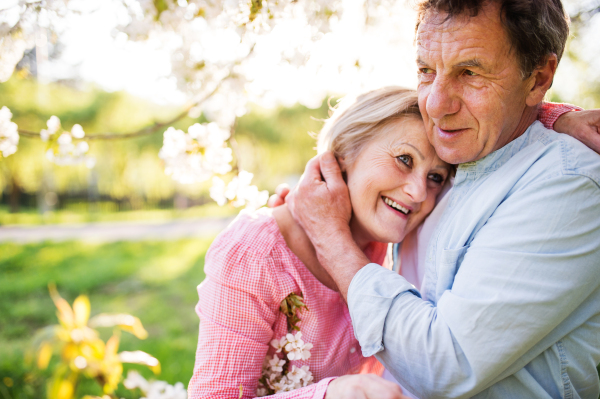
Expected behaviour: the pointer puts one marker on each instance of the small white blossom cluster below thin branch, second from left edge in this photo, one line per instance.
(66, 148)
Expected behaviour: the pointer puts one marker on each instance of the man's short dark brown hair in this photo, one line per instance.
(535, 28)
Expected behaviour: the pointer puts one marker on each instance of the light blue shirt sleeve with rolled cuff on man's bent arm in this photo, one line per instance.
(530, 266)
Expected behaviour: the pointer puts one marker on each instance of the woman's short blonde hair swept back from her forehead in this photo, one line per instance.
(356, 120)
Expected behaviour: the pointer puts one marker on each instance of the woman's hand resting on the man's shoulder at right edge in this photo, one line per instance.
(582, 125)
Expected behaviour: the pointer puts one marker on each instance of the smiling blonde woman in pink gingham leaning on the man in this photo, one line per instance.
(258, 293)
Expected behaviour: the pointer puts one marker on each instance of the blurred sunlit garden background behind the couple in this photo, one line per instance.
(120, 229)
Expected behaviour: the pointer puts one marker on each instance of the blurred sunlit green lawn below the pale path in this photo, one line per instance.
(155, 281)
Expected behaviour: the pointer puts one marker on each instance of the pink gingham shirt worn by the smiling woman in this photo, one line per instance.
(249, 271)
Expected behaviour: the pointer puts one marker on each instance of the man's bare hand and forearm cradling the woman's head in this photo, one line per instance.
(320, 203)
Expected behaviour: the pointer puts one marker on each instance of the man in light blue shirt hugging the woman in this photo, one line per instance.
(510, 303)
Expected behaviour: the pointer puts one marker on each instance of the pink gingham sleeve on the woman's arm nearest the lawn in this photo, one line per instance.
(238, 306)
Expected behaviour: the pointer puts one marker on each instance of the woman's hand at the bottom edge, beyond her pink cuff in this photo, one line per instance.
(363, 386)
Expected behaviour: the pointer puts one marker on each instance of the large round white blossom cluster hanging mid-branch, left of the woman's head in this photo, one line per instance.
(197, 155)
